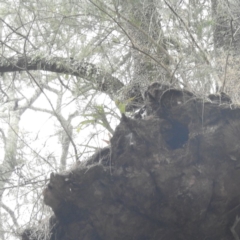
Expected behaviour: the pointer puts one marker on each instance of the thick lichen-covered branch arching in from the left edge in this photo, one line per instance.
(101, 80)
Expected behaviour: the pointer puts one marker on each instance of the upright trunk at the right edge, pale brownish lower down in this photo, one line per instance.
(226, 39)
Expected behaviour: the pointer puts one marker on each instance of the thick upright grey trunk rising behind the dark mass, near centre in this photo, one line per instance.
(149, 53)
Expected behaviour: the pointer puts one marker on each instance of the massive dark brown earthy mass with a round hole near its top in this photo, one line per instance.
(172, 175)
